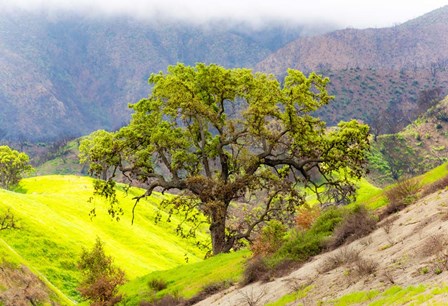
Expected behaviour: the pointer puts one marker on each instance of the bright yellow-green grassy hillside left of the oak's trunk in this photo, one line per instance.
(55, 227)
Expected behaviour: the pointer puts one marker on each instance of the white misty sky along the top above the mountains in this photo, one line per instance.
(344, 13)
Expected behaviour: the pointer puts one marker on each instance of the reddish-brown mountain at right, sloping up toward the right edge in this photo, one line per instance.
(375, 72)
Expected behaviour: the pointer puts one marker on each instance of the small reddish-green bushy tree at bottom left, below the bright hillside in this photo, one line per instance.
(101, 278)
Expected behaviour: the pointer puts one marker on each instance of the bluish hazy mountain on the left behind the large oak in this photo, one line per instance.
(67, 76)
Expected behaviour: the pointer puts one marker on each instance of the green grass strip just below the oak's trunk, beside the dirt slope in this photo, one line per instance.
(188, 280)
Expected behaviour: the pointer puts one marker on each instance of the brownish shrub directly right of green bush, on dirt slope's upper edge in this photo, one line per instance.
(357, 224)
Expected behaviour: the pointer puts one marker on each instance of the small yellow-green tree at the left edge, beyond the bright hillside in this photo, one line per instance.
(13, 164)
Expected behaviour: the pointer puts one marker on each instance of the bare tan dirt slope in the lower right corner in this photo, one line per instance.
(408, 248)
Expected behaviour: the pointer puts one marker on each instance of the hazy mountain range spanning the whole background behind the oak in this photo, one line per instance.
(65, 75)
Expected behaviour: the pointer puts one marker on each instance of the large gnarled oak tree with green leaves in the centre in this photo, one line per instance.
(242, 147)
